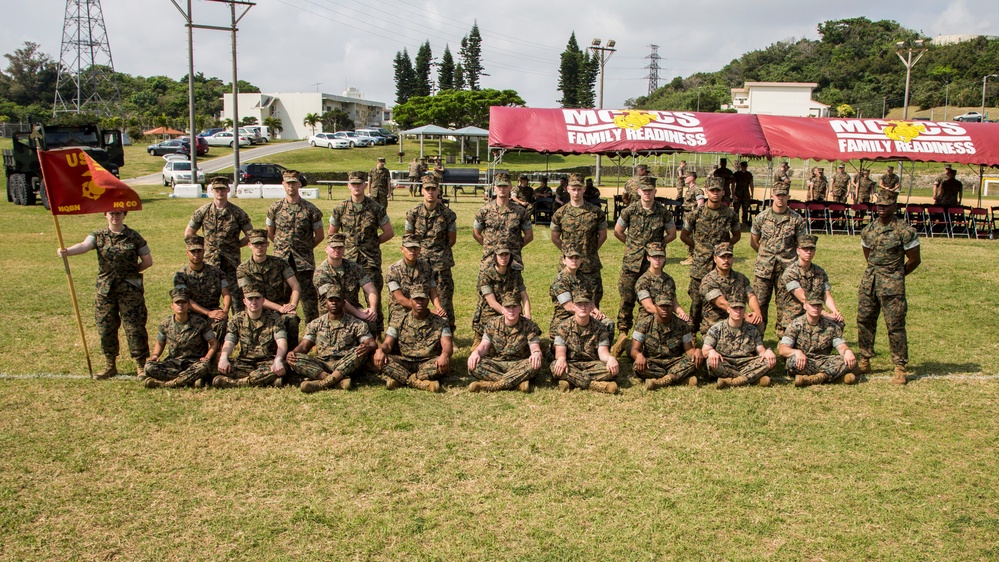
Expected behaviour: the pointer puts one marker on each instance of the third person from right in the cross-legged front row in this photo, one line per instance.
(662, 348)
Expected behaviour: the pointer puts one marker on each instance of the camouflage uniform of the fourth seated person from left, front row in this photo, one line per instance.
(419, 344)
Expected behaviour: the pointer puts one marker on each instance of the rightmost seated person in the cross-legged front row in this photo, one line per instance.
(807, 346)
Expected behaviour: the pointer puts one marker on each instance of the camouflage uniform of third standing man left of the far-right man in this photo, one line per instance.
(641, 226)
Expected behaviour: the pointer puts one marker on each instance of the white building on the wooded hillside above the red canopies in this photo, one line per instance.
(778, 98)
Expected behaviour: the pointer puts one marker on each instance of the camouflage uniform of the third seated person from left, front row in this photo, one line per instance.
(336, 344)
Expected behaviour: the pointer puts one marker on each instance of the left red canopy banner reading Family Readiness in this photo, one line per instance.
(608, 131)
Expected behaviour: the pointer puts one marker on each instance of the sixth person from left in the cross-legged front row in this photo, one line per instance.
(582, 351)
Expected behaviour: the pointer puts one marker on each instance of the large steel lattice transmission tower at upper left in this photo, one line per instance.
(86, 72)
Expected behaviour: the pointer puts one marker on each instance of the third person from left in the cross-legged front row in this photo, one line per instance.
(343, 343)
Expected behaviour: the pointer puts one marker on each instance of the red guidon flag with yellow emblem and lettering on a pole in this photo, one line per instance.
(77, 185)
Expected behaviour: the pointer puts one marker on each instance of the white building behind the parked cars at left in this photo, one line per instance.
(291, 109)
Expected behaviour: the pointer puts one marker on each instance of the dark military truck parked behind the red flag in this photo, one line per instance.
(24, 175)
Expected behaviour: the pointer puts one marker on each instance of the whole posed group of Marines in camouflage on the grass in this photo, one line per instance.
(220, 302)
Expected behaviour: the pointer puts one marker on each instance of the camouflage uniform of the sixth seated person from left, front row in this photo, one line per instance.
(582, 356)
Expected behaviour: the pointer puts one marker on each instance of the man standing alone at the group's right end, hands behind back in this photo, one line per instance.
(891, 248)
